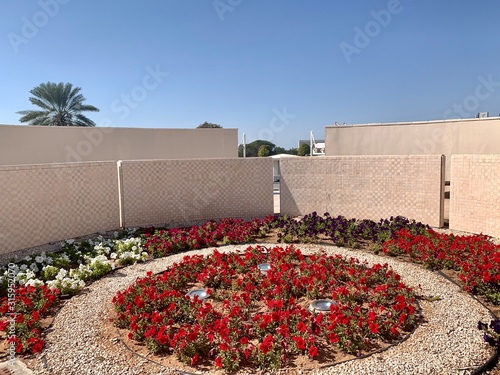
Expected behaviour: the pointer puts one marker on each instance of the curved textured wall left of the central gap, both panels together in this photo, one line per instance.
(46, 203)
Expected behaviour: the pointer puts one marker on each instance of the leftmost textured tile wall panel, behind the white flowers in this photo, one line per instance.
(52, 202)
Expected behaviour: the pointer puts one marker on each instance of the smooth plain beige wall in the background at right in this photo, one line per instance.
(446, 137)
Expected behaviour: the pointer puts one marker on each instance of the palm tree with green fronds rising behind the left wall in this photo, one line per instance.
(61, 105)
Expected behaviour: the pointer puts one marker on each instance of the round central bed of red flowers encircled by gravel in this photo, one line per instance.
(262, 319)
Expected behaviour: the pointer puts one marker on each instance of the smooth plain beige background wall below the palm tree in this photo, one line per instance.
(23, 144)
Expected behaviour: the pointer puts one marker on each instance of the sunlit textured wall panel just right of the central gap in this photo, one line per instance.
(365, 187)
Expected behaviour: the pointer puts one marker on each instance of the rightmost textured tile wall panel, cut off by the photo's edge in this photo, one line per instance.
(475, 194)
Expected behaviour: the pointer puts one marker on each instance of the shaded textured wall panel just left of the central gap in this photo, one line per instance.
(182, 191)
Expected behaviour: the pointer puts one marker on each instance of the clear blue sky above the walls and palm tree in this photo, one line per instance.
(274, 69)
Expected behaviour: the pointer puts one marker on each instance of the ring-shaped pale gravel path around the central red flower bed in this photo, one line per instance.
(447, 343)
